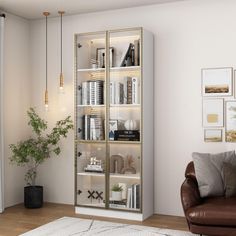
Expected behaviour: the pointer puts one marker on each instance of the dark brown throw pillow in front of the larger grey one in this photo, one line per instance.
(229, 173)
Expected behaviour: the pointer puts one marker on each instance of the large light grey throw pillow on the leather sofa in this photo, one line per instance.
(209, 172)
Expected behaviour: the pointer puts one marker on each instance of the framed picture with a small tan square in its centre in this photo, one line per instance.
(213, 112)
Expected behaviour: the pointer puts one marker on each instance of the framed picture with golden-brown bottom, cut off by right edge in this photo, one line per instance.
(230, 128)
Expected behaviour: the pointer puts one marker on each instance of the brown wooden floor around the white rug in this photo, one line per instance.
(17, 219)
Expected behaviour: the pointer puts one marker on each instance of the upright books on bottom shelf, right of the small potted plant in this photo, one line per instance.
(133, 196)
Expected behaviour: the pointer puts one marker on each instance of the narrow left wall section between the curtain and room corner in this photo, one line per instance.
(16, 100)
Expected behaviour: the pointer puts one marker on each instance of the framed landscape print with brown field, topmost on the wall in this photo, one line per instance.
(217, 82)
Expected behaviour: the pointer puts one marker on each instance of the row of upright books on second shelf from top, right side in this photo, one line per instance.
(125, 93)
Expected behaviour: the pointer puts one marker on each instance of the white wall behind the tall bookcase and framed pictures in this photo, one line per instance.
(189, 35)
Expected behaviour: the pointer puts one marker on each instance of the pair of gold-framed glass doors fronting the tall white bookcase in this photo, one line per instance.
(108, 87)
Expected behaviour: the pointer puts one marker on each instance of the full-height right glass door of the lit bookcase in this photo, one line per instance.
(124, 120)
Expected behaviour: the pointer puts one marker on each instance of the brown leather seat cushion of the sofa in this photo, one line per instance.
(218, 211)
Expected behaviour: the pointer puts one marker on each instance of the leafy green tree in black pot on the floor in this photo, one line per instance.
(35, 150)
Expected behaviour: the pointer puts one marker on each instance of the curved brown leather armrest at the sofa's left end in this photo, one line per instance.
(190, 195)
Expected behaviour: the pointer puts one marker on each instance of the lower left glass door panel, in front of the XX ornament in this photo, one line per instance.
(91, 166)
